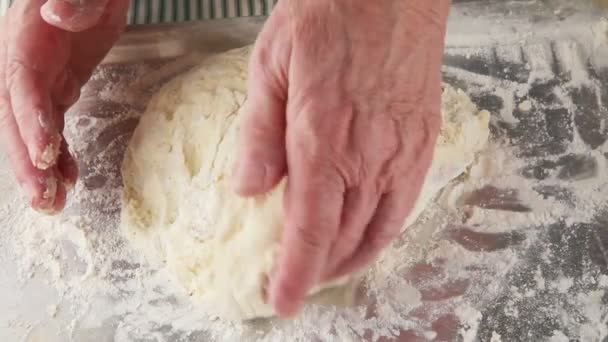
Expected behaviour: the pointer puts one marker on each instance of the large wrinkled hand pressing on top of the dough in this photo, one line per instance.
(344, 98)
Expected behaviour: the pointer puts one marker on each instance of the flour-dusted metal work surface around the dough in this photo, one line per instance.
(513, 253)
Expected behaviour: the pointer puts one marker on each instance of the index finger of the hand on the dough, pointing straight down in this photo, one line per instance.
(314, 199)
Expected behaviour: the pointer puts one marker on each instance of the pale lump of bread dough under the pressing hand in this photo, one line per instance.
(178, 205)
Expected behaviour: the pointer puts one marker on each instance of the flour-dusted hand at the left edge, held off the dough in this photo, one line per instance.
(42, 69)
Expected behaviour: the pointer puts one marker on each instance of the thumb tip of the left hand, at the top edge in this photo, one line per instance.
(73, 15)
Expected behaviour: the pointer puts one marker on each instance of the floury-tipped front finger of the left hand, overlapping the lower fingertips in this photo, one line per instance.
(30, 45)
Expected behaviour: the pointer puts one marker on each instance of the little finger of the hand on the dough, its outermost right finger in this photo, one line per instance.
(384, 227)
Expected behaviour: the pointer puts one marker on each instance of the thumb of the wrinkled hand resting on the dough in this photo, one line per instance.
(261, 161)
